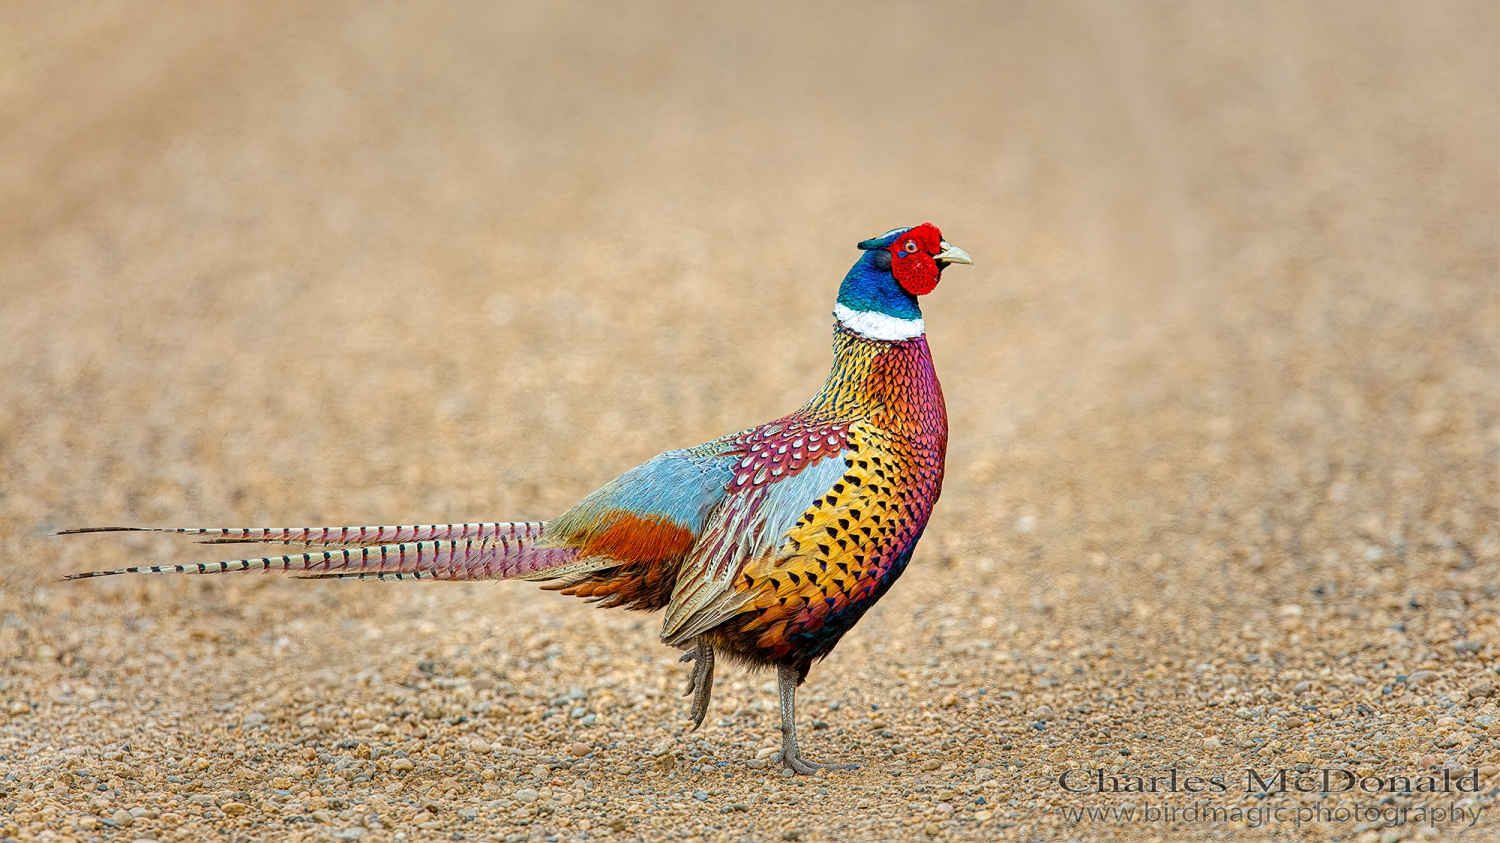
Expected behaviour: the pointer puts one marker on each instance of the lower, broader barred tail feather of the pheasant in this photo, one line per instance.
(506, 553)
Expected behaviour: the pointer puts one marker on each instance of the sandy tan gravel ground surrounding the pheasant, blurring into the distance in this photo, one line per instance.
(1223, 386)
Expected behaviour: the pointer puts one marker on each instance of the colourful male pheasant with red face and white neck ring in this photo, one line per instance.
(764, 545)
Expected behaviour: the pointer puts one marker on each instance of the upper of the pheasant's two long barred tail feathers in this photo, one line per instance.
(338, 536)
